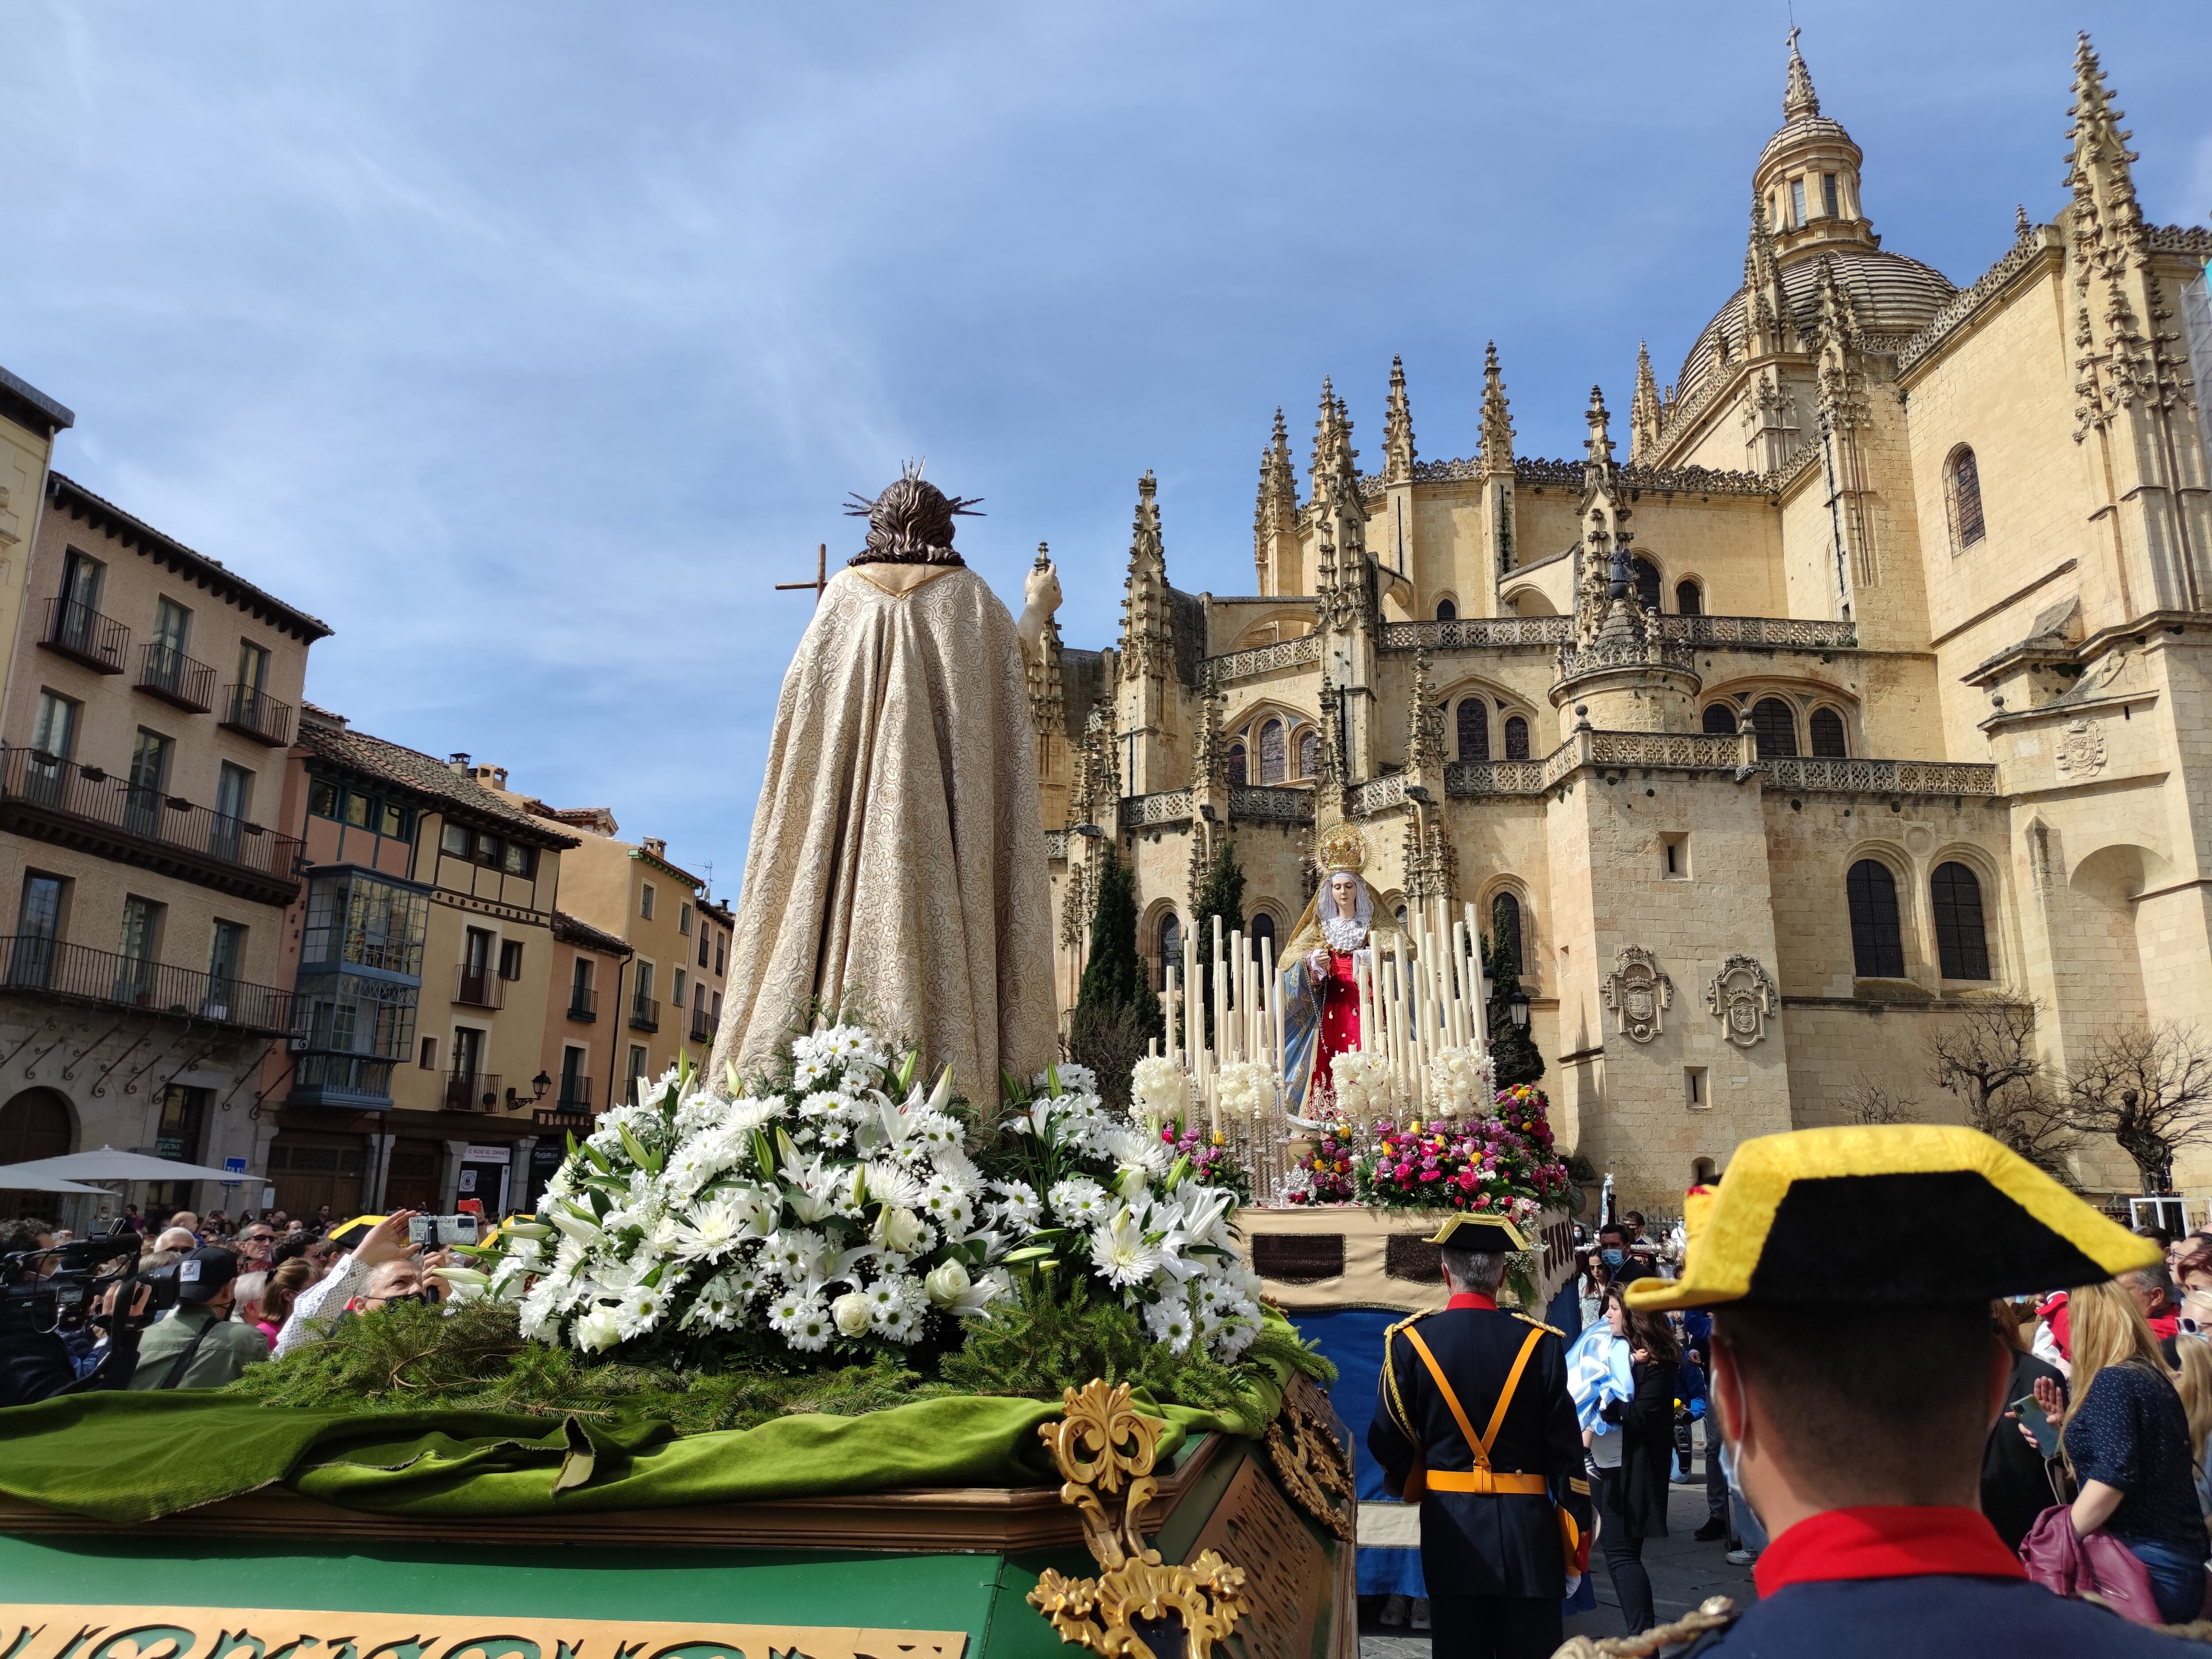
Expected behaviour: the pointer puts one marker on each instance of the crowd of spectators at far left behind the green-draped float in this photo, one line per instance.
(247, 1291)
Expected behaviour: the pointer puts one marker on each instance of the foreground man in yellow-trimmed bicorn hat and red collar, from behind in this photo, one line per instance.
(1857, 1377)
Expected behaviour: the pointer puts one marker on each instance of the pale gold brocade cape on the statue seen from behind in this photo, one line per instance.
(897, 859)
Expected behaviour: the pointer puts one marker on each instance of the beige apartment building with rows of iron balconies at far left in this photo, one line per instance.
(149, 709)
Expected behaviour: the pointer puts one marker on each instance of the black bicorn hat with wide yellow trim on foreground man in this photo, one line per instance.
(1888, 1215)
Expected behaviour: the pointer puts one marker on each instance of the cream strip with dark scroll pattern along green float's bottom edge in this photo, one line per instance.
(227, 1631)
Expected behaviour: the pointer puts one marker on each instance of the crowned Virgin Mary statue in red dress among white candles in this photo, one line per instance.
(1322, 1008)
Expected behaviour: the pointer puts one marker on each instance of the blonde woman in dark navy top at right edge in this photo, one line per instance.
(2127, 1439)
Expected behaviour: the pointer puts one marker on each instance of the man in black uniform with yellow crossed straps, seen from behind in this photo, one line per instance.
(1474, 1408)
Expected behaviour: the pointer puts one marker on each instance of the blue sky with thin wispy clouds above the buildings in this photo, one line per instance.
(530, 344)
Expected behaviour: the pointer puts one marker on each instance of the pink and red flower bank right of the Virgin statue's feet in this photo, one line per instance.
(1499, 1165)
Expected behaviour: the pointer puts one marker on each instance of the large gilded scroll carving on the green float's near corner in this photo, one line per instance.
(1105, 1452)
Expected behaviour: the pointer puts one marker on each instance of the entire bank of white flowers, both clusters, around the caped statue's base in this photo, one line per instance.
(846, 1213)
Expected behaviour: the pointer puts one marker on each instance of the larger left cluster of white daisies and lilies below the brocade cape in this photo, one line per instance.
(800, 1220)
